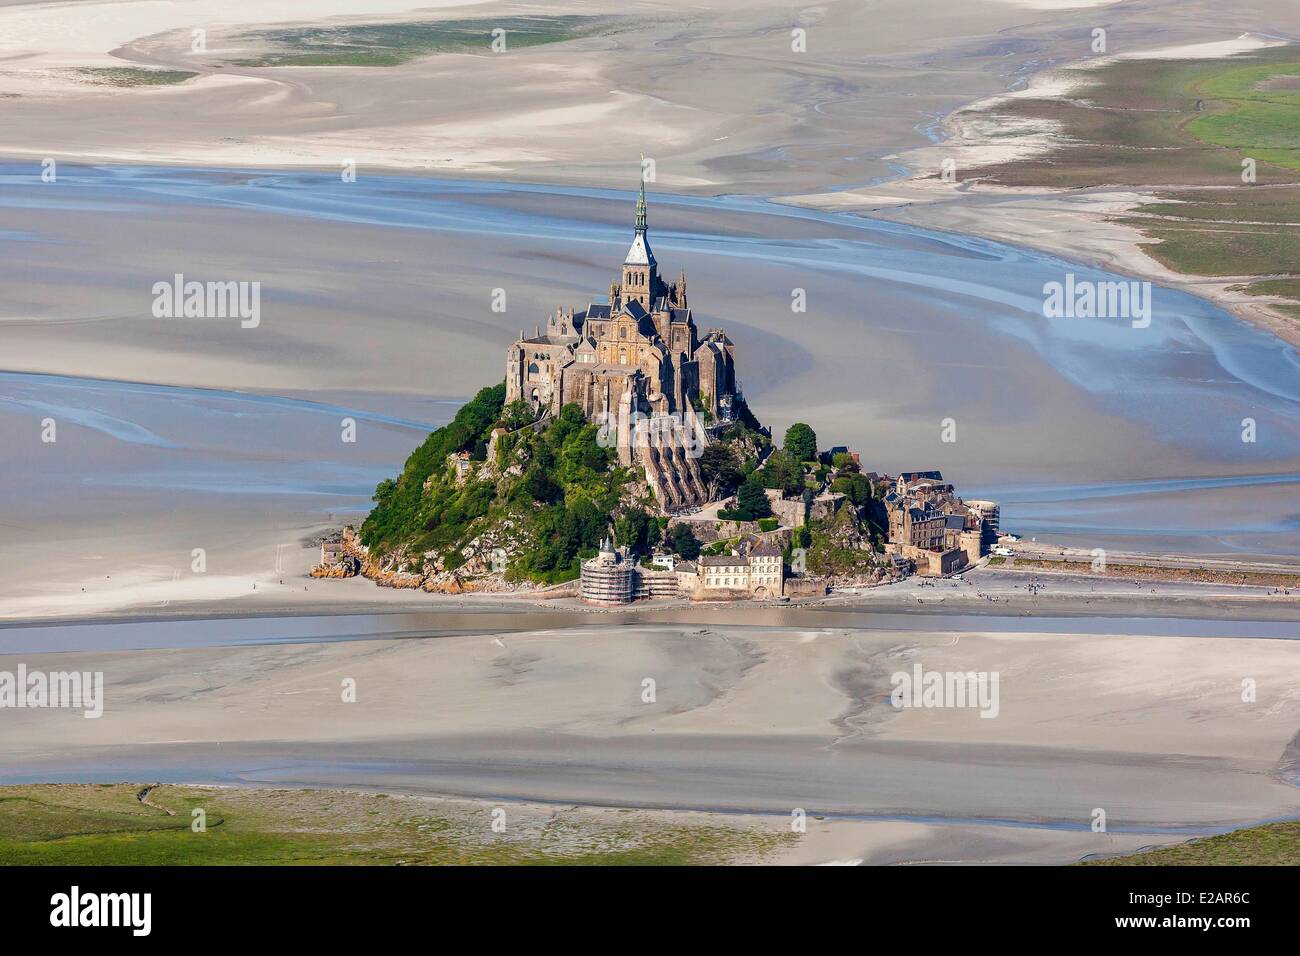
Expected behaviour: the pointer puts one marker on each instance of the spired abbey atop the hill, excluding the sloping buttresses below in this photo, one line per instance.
(638, 353)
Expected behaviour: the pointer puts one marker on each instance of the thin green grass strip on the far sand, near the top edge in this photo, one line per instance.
(391, 45)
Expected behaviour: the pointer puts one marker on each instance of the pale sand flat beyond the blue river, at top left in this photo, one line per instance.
(714, 92)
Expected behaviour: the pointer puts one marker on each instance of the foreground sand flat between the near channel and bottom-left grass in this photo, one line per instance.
(746, 721)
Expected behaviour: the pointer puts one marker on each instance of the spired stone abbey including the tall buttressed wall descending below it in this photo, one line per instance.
(636, 357)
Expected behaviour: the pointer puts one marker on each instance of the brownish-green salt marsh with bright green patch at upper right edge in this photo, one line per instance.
(1185, 128)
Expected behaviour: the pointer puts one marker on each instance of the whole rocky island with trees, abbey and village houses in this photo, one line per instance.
(621, 461)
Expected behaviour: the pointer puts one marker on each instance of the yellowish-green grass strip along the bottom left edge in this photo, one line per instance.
(110, 825)
